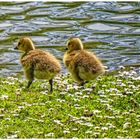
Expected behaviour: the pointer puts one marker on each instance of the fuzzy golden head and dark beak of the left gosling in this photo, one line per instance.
(25, 44)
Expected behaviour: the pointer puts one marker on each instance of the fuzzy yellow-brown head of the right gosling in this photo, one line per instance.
(74, 44)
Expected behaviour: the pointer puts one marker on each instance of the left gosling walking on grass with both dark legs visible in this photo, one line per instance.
(37, 63)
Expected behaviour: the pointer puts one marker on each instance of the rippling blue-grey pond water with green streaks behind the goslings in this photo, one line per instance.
(110, 29)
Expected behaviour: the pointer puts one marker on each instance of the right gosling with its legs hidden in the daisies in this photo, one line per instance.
(83, 65)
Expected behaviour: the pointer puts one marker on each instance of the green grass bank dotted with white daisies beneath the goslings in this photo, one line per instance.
(106, 108)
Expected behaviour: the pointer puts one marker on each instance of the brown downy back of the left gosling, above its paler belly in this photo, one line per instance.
(42, 61)
